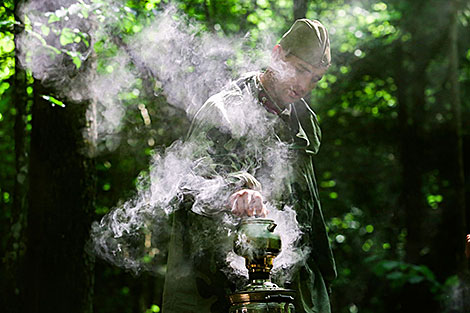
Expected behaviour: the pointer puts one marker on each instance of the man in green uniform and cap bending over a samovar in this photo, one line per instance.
(257, 136)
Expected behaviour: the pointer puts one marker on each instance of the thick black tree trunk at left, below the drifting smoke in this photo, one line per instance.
(59, 270)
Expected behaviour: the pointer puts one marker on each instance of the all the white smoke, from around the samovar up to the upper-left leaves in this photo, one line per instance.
(188, 65)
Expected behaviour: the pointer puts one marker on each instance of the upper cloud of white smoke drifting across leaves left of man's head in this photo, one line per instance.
(188, 64)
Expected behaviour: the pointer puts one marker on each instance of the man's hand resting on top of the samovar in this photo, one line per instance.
(248, 202)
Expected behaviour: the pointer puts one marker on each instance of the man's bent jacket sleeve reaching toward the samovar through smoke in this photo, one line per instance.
(224, 157)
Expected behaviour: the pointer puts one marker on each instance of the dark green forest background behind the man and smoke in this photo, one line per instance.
(392, 170)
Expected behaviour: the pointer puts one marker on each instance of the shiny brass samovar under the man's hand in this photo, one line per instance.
(259, 245)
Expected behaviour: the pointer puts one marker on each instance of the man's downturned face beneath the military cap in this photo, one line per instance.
(294, 78)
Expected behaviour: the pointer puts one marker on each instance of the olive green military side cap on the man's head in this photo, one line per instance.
(309, 41)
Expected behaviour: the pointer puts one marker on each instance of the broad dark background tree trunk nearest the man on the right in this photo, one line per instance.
(413, 61)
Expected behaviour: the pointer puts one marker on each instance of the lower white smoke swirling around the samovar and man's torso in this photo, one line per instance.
(186, 171)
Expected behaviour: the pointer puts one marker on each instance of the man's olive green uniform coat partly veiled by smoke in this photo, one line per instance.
(248, 147)
